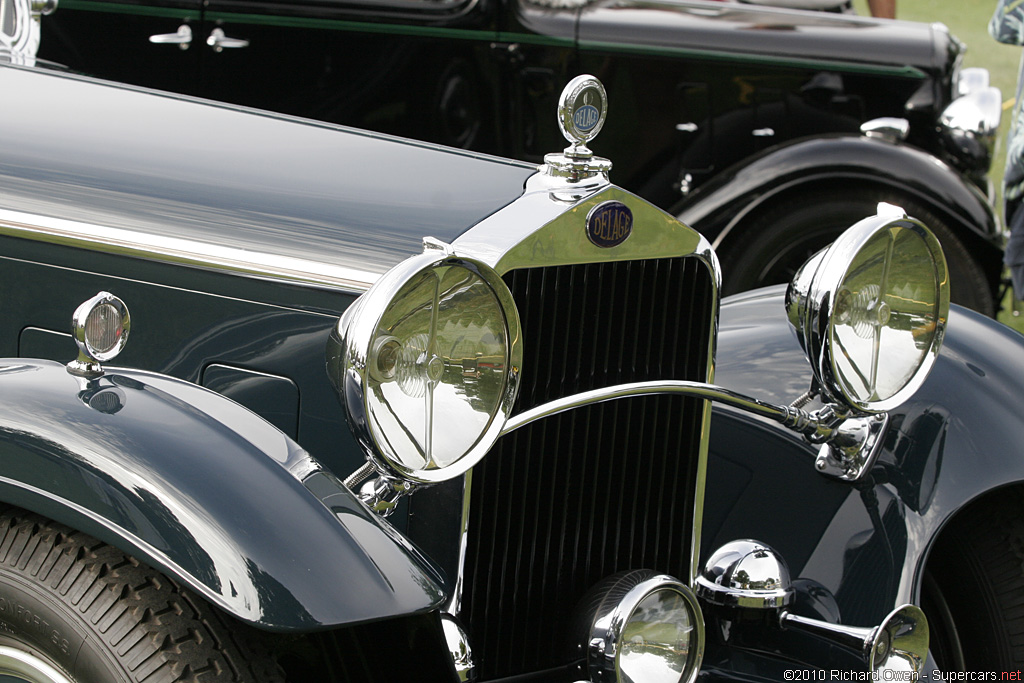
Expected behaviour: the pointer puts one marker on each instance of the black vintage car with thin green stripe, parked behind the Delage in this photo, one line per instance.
(767, 130)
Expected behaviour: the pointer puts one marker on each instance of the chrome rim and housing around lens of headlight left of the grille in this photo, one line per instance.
(350, 367)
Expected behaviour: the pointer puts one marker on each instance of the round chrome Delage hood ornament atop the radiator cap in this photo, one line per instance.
(582, 110)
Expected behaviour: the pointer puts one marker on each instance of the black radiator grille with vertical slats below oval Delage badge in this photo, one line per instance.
(562, 504)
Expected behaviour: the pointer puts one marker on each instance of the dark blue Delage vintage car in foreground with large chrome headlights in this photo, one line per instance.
(391, 411)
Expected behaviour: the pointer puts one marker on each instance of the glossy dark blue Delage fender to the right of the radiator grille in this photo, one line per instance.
(866, 546)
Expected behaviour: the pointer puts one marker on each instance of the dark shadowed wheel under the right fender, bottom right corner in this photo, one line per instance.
(974, 589)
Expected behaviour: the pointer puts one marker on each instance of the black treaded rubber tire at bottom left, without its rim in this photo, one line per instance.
(158, 630)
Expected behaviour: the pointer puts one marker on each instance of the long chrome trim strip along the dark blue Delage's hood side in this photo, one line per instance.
(187, 252)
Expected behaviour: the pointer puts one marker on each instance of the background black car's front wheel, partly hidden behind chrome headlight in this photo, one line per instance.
(778, 242)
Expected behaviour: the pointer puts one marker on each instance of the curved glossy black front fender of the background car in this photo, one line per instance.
(839, 163)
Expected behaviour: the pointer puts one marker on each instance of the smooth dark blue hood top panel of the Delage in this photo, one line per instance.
(340, 187)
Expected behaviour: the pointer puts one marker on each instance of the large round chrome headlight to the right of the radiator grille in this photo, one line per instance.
(871, 312)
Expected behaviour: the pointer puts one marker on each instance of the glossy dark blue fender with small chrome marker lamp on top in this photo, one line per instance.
(201, 489)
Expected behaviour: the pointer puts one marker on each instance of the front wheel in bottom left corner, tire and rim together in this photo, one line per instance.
(76, 611)
